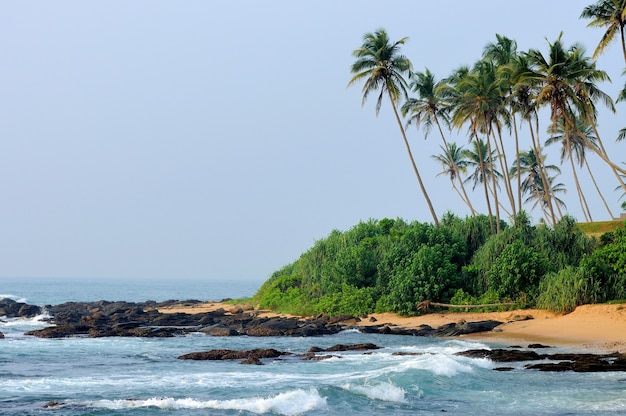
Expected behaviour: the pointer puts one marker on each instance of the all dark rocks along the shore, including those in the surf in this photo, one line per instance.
(144, 319)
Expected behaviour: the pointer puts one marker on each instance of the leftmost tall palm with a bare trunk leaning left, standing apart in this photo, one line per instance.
(381, 65)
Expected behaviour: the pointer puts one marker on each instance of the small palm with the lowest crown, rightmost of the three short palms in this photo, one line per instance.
(533, 184)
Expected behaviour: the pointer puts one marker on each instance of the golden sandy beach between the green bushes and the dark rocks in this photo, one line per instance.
(590, 327)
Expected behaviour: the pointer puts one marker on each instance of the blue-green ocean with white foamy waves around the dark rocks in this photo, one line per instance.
(142, 376)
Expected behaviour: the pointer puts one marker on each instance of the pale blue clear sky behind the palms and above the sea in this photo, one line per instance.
(217, 139)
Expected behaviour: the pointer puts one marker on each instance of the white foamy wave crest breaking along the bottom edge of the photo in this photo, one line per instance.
(289, 403)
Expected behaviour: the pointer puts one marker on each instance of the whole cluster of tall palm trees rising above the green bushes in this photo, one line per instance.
(502, 95)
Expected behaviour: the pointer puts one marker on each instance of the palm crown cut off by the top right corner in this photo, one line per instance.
(609, 14)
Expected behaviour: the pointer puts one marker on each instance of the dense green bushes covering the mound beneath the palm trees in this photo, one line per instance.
(391, 266)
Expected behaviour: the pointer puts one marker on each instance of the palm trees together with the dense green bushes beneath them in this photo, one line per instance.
(506, 101)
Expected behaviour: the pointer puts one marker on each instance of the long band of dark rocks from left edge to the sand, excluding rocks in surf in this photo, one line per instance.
(143, 319)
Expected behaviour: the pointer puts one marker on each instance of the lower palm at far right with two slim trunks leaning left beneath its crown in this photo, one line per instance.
(573, 146)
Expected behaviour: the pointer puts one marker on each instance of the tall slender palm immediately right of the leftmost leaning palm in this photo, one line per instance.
(426, 110)
